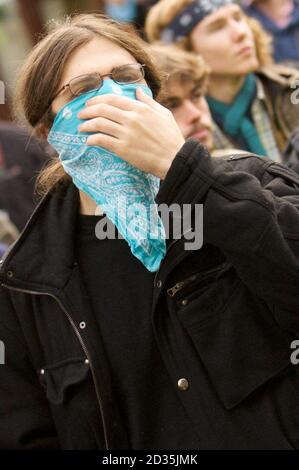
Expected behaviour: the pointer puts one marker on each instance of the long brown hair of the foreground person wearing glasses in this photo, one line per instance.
(40, 75)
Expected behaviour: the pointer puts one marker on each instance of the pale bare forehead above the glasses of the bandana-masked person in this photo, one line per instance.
(99, 55)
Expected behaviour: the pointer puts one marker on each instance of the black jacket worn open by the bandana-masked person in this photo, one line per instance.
(227, 330)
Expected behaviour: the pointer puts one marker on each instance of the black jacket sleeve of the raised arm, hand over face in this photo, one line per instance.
(256, 226)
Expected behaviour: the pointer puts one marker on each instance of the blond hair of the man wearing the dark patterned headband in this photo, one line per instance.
(164, 11)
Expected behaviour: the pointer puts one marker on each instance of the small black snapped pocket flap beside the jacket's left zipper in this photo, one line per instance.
(62, 378)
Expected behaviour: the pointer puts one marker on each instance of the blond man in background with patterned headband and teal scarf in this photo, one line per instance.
(249, 96)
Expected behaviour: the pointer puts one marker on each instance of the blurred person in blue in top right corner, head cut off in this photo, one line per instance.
(281, 19)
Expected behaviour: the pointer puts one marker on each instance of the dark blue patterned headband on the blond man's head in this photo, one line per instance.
(189, 17)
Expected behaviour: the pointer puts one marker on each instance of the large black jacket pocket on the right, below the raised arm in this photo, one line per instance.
(240, 345)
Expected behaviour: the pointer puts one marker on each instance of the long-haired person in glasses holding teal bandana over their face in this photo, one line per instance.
(124, 343)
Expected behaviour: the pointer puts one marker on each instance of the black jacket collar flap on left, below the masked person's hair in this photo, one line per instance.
(44, 255)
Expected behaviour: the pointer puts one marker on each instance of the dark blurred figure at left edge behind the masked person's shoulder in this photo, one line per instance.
(21, 158)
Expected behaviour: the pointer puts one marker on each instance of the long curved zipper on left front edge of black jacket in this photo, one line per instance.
(62, 307)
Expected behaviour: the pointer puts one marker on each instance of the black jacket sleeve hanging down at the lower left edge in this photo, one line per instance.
(25, 418)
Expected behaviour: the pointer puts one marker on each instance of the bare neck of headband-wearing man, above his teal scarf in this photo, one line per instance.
(224, 88)
